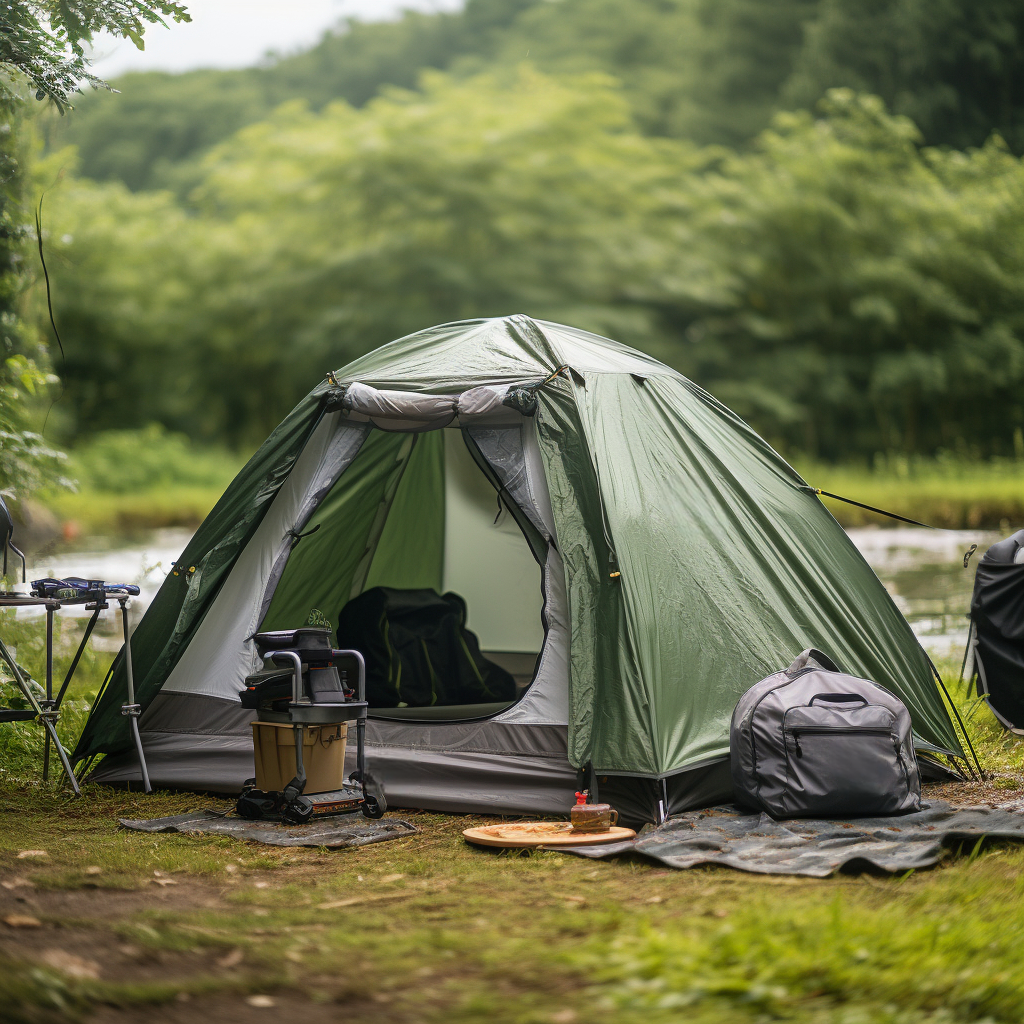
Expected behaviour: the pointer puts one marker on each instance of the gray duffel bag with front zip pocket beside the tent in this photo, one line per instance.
(812, 742)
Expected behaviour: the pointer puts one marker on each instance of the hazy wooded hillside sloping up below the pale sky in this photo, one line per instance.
(706, 70)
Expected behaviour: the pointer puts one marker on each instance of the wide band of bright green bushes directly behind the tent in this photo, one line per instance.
(842, 288)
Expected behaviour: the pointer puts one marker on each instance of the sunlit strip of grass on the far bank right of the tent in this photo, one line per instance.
(952, 494)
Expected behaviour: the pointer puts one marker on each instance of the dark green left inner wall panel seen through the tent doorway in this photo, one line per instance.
(324, 568)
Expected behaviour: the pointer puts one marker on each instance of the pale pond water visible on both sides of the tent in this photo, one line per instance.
(922, 569)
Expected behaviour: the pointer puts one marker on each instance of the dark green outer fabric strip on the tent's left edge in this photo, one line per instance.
(183, 601)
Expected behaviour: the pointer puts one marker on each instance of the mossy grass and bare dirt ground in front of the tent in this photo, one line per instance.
(434, 930)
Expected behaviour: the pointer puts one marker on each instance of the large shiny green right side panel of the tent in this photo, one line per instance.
(729, 571)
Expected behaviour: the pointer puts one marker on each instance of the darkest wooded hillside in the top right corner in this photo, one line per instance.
(955, 67)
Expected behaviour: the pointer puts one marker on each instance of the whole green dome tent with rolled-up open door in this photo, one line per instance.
(655, 559)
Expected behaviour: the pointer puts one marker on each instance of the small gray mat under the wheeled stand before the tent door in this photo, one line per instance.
(339, 831)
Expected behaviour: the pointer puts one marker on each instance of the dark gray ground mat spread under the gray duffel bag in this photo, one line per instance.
(758, 843)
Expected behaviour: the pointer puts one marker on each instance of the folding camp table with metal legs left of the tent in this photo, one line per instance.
(48, 710)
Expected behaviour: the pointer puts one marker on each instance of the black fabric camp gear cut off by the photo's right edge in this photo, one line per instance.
(998, 631)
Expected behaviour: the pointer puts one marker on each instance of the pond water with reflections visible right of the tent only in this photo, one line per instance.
(924, 572)
